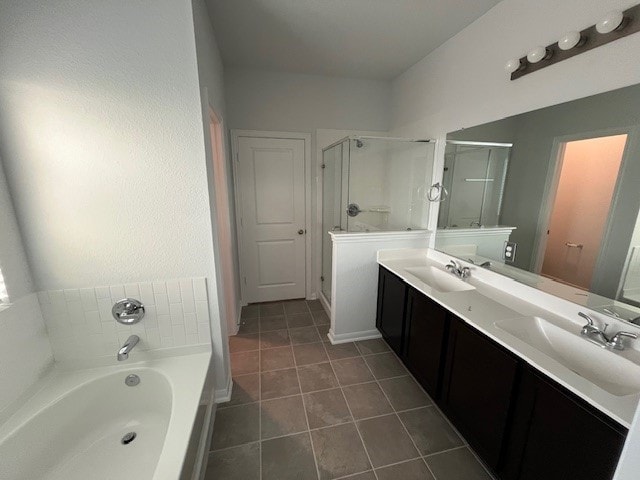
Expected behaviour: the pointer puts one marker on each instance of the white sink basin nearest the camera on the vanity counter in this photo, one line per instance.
(608, 370)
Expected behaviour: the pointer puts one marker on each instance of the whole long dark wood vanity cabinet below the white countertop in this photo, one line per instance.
(521, 423)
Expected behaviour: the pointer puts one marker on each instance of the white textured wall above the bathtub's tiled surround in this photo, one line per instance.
(103, 144)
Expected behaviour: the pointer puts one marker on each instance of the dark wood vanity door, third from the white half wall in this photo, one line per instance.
(478, 388)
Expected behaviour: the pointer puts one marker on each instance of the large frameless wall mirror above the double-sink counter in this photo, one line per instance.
(551, 198)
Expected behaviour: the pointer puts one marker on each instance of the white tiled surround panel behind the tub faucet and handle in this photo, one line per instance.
(80, 324)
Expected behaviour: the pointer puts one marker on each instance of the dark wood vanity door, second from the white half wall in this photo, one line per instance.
(425, 340)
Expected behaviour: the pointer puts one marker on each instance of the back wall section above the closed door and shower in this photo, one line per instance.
(259, 100)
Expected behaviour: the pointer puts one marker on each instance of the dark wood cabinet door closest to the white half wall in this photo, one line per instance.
(392, 293)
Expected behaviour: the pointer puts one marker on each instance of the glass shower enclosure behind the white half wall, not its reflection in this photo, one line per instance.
(373, 184)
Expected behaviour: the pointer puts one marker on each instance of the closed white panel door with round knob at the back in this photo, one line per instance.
(272, 217)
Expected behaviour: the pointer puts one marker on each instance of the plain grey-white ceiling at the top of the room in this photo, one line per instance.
(377, 39)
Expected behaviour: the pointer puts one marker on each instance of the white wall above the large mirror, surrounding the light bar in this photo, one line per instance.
(463, 83)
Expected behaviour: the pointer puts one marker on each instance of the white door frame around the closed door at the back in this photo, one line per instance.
(236, 134)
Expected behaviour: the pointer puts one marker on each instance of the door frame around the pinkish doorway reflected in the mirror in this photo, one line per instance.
(551, 189)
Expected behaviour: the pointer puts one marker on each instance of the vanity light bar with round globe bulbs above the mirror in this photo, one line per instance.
(614, 25)
